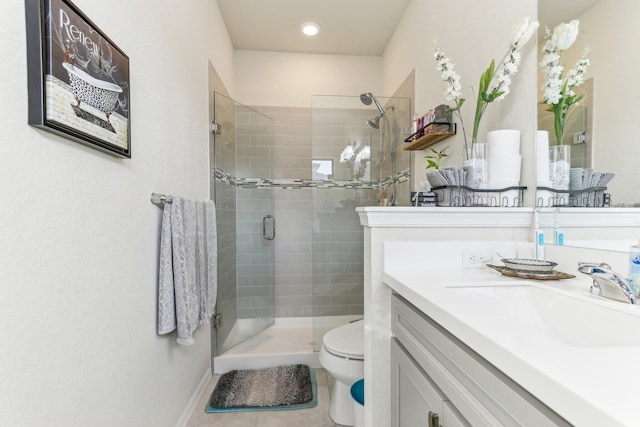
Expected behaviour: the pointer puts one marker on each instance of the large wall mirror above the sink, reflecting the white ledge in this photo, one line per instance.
(608, 29)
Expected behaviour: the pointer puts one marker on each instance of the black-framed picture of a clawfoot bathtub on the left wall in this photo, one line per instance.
(78, 78)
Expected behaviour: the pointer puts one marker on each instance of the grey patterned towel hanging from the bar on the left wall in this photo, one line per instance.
(188, 270)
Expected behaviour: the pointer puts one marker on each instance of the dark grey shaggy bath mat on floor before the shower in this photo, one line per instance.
(268, 389)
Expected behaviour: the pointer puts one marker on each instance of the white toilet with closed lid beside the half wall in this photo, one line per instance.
(342, 355)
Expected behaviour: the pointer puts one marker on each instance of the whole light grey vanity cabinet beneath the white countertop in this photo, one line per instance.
(434, 372)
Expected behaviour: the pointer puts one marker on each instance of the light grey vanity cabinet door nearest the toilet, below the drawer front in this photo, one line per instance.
(414, 396)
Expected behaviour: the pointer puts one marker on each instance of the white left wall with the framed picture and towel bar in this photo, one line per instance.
(79, 253)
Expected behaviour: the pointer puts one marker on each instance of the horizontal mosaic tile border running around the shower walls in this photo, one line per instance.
(226, 178)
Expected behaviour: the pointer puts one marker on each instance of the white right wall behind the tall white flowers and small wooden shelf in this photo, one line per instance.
(470, 34)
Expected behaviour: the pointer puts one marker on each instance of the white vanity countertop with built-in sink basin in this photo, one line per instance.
(577, 353)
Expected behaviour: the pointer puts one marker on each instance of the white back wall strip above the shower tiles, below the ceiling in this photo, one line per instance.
(290, 79)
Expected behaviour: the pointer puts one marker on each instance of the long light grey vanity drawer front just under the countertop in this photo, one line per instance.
(479, 391)
